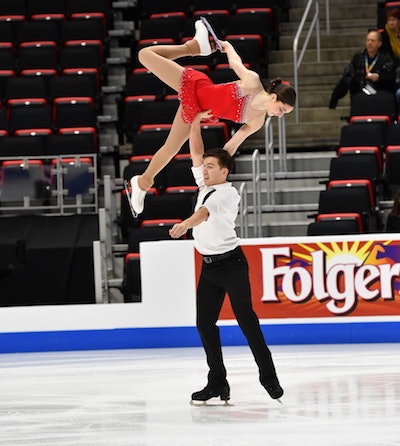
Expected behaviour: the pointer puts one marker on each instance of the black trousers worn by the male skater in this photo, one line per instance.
(229, 276)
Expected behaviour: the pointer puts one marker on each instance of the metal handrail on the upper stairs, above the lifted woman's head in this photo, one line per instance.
(298, 59)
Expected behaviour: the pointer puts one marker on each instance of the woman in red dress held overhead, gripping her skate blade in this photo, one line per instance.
(243, 101)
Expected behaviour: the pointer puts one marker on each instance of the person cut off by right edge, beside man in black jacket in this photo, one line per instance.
(391, 45)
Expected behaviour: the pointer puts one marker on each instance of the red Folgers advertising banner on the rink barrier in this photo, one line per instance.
(323, 279)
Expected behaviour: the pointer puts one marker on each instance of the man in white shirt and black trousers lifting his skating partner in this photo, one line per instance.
(224, 268)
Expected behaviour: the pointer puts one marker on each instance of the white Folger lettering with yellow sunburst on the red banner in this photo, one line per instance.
(338, 274)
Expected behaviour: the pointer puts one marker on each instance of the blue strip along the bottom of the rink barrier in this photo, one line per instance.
(171, 337)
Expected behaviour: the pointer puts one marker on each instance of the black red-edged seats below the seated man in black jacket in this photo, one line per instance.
(365, 169)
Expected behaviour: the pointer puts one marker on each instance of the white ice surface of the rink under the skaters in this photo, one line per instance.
(334, 395)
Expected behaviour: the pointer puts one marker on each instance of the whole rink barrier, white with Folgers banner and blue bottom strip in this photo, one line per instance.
(295, 302)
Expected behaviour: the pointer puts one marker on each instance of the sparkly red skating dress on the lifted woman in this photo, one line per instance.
(198, 93)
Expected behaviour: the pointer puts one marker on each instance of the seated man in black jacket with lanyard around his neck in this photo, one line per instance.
(369, 71)
